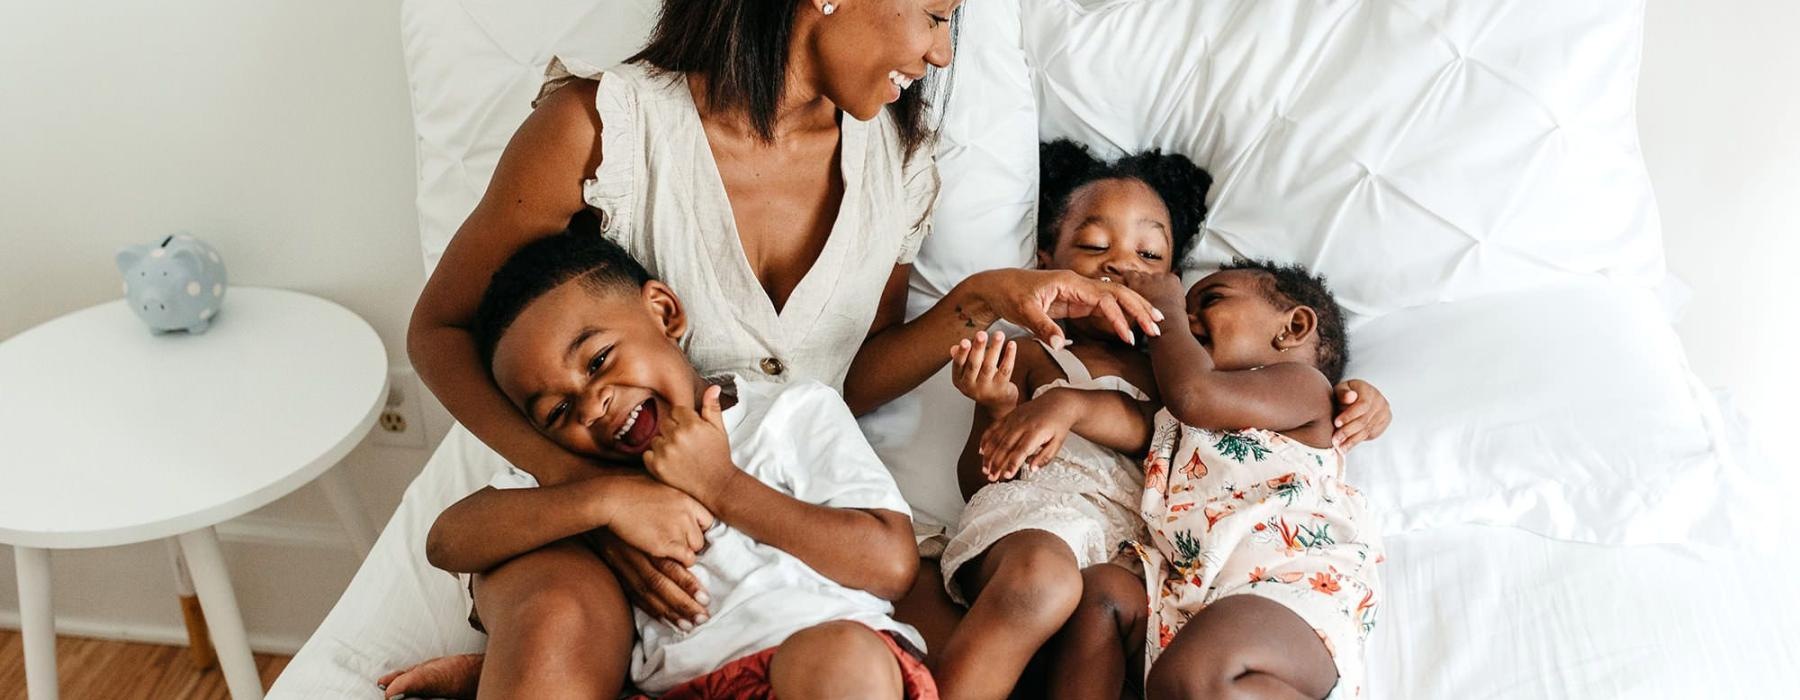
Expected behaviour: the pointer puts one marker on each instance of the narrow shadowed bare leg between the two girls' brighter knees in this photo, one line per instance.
(1095, 652)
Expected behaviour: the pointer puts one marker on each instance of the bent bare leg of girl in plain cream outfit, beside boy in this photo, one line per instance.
(1023, 589)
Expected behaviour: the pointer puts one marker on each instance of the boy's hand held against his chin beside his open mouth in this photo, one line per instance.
(694, 454)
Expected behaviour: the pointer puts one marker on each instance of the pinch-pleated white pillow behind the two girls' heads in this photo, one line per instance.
(1414, 150)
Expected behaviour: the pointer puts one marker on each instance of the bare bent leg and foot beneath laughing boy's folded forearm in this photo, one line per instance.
(559, 627)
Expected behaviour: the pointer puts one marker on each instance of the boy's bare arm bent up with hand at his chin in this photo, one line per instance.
(868, 550)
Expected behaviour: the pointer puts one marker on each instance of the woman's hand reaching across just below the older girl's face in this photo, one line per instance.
(1036, 300)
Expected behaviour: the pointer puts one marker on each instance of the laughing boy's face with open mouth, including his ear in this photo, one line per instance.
(598, 370)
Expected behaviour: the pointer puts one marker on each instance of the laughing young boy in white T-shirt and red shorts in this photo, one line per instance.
(811, 543)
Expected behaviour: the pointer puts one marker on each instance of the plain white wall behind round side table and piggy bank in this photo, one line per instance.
(280, 132)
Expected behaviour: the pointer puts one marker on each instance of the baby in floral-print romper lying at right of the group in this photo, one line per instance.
(1261, 561)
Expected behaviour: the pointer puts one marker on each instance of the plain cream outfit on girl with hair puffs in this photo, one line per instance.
(1088, 496)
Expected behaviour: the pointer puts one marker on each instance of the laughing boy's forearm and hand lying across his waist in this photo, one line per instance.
(492, 526)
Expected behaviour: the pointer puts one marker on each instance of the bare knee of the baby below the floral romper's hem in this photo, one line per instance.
(1243, 647)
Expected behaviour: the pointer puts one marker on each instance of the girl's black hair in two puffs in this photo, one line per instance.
(1065, 166)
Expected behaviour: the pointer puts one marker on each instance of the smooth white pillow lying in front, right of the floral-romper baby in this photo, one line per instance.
(1567, 411)
